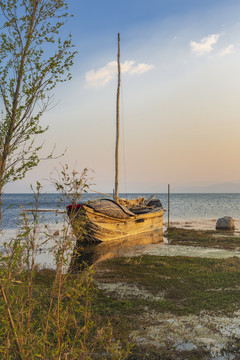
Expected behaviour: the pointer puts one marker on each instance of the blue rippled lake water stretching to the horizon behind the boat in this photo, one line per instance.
(183, 207)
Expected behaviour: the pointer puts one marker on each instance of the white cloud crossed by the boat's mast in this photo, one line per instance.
(104, 74)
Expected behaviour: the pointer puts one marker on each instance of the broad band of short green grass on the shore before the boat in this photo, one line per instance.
(188, 285)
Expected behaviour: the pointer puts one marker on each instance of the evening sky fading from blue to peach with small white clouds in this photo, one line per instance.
(180, 90)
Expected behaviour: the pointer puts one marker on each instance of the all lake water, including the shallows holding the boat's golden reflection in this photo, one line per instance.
(191, 210)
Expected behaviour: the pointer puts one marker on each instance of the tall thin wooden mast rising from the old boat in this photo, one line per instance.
(117, 127)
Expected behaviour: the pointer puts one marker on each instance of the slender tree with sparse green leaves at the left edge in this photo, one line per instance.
(33, 59)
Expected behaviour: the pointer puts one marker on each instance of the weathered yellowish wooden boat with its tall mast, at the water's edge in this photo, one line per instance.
(105, 219)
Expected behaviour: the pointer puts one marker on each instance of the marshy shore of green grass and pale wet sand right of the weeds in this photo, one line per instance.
(168, 309)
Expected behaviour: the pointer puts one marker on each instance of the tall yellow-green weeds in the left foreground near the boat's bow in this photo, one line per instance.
(47, 314)
